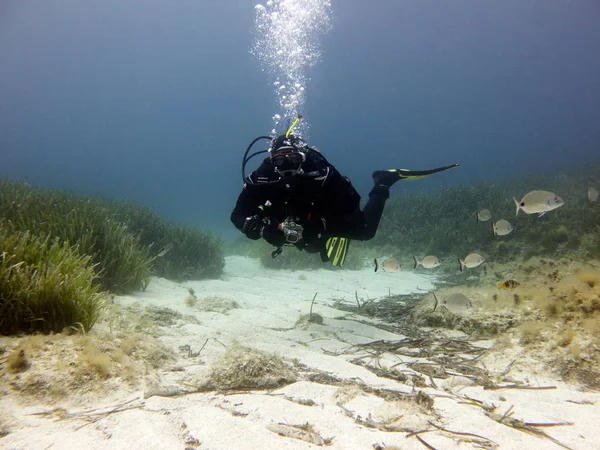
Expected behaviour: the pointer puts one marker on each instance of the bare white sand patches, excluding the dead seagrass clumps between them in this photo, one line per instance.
(270, 304)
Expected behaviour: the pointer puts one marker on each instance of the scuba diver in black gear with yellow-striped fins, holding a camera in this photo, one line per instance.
(298, 198)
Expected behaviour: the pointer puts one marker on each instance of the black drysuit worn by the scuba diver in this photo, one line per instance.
(320, 199)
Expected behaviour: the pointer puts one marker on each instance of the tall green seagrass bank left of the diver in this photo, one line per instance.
(62, 254)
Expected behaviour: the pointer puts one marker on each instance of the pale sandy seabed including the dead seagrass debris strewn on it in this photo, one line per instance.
(317, 382)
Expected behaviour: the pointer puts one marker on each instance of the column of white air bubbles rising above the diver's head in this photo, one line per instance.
(288, 43)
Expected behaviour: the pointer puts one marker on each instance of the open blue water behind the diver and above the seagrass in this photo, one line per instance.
(155, 101)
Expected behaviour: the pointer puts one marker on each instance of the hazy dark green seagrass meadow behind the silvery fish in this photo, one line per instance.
(444, 222)
